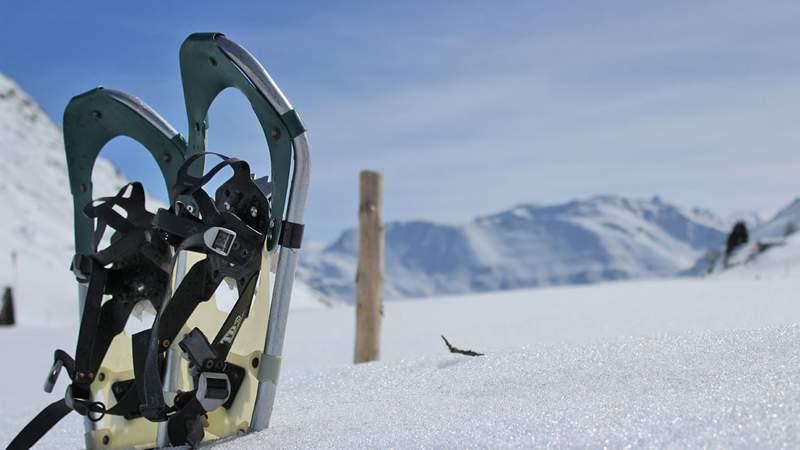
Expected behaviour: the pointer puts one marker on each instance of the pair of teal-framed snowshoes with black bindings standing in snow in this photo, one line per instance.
(201, 372)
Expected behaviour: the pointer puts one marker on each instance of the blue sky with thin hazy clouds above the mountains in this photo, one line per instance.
(468, 107)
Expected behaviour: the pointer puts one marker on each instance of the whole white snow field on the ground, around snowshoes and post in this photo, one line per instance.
(683, 362)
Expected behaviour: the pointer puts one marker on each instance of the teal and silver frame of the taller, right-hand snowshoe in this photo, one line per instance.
(210, 63)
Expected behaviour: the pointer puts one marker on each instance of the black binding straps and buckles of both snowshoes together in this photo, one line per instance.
(231, 231)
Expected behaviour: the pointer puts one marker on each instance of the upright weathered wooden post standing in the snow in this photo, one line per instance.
(369, 275)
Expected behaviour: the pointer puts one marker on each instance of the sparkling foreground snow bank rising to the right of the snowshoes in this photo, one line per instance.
(711, 390)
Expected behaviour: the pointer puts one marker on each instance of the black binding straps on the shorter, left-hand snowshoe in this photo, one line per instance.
(131, 268)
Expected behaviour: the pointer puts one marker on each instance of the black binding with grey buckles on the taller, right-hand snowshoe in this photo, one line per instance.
(231, 231)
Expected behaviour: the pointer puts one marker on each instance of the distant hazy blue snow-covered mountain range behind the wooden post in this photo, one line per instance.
(582, 241)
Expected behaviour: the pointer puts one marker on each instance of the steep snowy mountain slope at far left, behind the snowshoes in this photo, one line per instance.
(36, 212)
